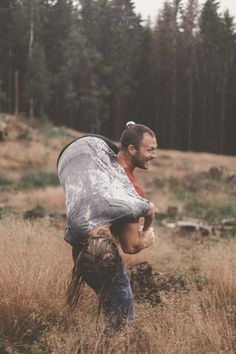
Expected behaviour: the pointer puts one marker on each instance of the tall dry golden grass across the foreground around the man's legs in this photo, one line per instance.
(34, 265)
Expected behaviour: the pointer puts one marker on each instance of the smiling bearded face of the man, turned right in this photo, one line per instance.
(146, 152)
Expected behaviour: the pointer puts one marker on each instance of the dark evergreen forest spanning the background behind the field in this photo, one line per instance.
(93, 65)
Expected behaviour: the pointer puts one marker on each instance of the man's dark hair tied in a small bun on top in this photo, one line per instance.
(133, 134)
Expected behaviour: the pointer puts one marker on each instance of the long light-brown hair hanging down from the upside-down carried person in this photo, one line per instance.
(96, 265)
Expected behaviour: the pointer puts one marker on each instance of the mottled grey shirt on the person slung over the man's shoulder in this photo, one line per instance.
(97, 190)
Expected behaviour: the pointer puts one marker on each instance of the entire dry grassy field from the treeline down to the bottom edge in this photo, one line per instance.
(197, 313)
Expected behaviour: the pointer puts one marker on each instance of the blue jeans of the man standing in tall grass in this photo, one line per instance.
(118, 305)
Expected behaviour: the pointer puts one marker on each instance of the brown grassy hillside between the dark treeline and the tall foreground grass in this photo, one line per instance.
(31, 150)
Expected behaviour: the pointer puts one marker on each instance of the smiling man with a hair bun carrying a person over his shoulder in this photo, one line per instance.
(137, 150)
